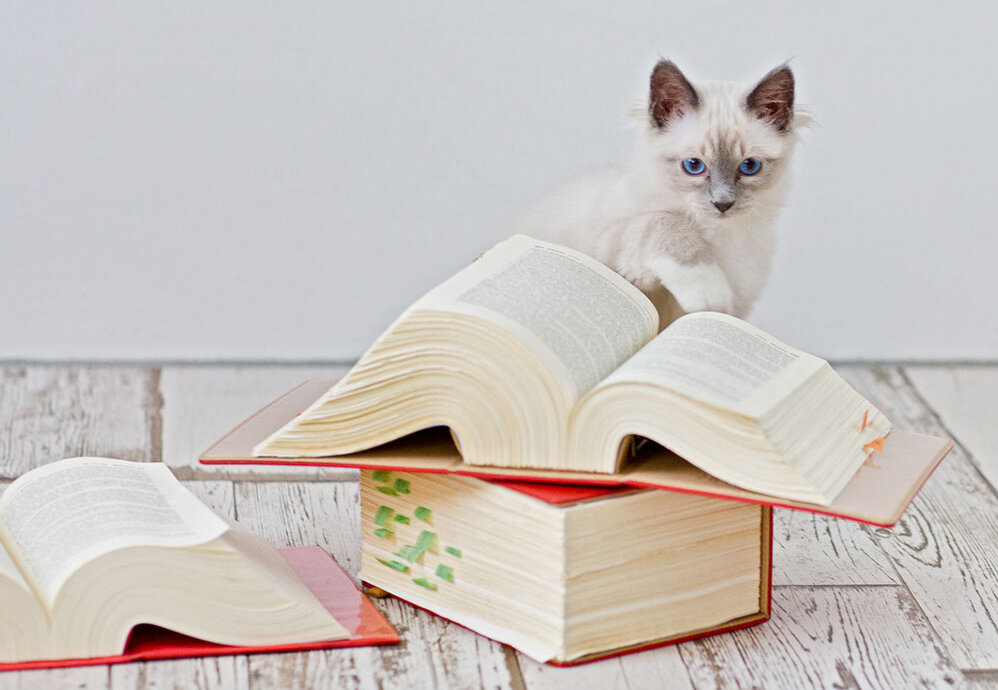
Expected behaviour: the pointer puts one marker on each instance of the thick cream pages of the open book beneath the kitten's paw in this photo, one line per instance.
(538, 356)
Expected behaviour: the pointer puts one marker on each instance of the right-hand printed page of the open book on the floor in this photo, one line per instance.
(61, 516)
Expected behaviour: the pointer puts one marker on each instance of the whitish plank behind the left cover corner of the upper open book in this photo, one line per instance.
(201, 403)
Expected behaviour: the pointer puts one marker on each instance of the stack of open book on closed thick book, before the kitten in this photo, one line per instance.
(513, 425)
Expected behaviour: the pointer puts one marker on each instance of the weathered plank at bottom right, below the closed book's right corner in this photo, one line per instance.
(828, 637)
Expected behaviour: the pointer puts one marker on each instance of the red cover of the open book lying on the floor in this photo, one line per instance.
(320, 573)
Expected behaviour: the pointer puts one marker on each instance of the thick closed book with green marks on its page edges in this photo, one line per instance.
(566, 574)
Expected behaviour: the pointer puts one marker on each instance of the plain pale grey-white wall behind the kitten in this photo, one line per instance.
(279, 180)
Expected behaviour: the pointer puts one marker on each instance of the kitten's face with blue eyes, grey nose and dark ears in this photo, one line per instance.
(721, 150)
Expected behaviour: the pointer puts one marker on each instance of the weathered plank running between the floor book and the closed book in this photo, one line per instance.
(434, 653)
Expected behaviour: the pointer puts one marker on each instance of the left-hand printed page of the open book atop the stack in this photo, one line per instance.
(583, 318)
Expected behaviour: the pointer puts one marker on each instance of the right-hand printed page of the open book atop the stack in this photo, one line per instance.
(722, 361)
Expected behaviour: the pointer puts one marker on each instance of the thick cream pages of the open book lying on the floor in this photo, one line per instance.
(92, 547)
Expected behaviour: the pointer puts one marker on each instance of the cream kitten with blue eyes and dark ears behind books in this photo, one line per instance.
(689, 218)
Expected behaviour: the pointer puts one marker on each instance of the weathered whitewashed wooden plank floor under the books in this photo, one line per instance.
(854, 606)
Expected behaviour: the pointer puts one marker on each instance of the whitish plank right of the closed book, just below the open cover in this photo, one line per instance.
(811, 549)
